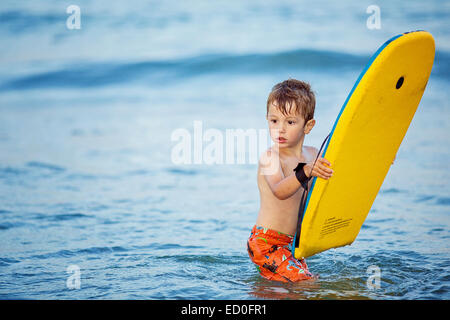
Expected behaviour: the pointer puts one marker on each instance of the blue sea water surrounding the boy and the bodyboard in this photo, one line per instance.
(92, 205)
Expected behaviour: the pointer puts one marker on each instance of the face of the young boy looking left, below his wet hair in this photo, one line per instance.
(287, 130)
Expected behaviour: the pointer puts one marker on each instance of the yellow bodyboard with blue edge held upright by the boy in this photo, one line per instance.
(364, 141)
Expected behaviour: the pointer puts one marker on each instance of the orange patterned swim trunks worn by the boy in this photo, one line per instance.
(271, 252)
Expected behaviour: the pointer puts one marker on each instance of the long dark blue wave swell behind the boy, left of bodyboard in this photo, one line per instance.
(157, 72)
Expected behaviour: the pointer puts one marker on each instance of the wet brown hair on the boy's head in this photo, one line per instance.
(294, 93)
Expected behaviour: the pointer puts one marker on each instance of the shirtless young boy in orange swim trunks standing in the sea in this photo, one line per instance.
(284, 171)
